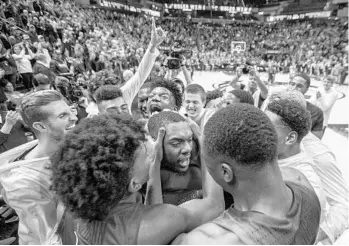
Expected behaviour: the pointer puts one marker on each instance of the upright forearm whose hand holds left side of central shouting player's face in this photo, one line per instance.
(154, 188)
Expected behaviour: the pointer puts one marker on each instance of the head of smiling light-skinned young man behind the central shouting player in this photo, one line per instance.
(194, 100)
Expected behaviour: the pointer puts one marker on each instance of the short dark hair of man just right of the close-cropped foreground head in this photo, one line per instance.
(293, 115)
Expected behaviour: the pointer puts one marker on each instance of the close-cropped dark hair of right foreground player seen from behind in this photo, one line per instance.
(242, 133)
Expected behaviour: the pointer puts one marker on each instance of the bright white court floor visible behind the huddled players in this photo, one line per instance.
(336, 135)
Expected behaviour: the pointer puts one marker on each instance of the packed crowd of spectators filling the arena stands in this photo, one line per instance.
(59, 38)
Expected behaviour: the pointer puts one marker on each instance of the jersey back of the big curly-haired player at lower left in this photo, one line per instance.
(120, 227)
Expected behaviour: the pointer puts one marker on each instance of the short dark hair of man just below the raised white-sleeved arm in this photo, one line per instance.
(102, 78)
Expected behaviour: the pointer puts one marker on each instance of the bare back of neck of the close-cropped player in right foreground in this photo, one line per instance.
(263, 193)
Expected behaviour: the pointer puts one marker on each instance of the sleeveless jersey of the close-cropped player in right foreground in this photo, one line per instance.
(299, 226)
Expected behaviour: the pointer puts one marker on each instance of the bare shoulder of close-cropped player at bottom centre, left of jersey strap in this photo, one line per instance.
(211, 233)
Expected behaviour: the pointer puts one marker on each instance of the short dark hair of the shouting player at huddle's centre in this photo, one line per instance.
(161, 119)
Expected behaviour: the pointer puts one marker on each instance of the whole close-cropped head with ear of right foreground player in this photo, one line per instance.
(239, 142)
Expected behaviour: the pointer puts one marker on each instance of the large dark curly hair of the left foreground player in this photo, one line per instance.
(92, 168)
